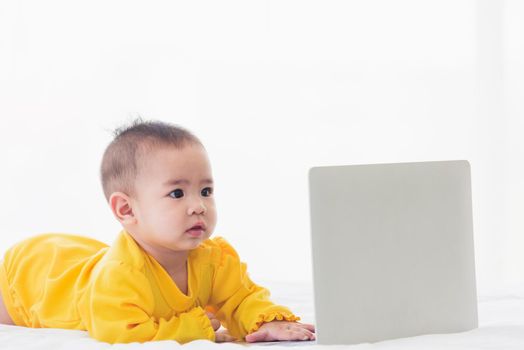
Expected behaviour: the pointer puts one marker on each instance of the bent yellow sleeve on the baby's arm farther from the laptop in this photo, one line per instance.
(118, 308)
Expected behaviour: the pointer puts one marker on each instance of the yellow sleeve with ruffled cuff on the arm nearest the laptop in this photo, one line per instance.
(241, 305)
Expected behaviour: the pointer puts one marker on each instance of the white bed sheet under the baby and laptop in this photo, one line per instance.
(501, 326)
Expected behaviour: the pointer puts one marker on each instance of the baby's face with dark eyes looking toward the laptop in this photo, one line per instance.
(174, 193)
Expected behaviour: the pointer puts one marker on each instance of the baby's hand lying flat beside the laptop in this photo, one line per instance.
(282, 330)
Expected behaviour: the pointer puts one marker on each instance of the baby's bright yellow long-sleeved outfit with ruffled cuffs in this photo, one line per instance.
(120, 294)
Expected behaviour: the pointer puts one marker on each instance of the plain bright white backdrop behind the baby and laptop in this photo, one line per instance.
(271, 88)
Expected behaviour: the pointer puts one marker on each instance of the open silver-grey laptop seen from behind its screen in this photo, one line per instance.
(393, 251)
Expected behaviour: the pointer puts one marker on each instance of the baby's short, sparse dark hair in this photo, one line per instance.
(122, 158)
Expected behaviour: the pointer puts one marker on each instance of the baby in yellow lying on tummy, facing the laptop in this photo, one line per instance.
(163, 277)
